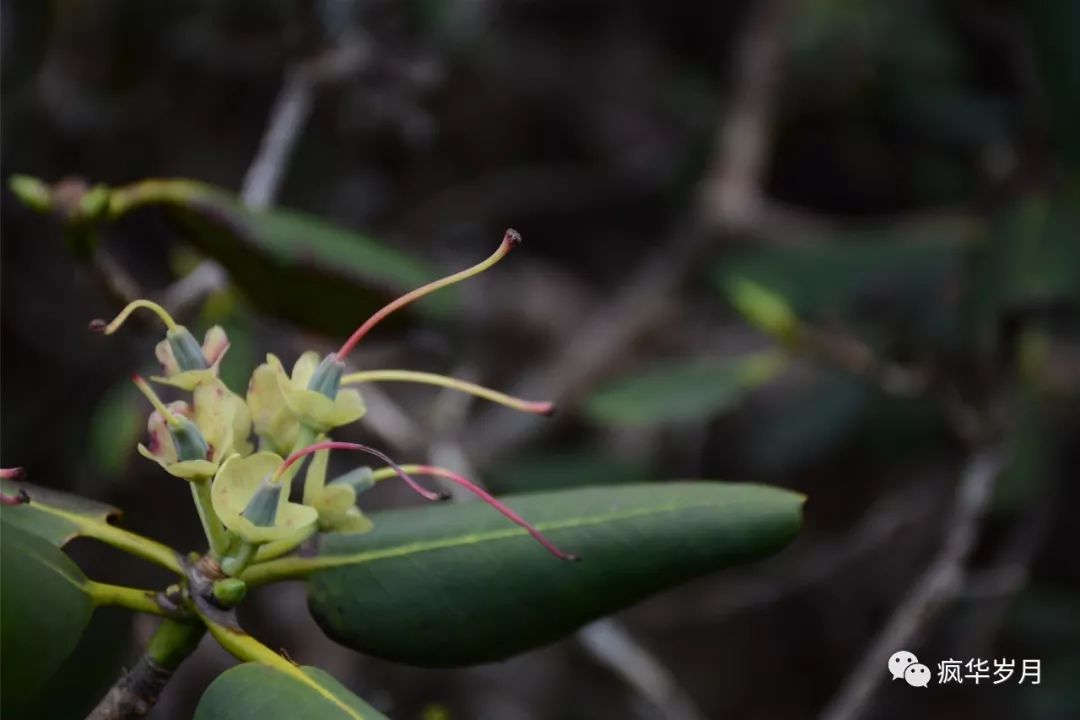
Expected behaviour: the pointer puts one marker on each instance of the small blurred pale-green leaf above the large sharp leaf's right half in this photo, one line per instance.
(688, 390)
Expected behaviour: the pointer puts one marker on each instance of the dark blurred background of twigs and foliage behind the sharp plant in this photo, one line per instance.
(903, 173)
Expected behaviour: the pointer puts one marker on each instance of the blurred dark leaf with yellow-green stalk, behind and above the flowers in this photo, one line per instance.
(292, 266)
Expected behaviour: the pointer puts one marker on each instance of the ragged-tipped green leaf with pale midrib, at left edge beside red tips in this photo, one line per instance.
(51, 514)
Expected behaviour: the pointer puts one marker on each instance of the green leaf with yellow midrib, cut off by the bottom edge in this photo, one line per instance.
(256, 692)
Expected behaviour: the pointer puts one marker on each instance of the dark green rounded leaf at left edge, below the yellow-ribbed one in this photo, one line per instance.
(44, 612)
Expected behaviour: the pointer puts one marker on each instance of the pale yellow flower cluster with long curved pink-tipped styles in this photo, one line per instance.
(240, 455)
